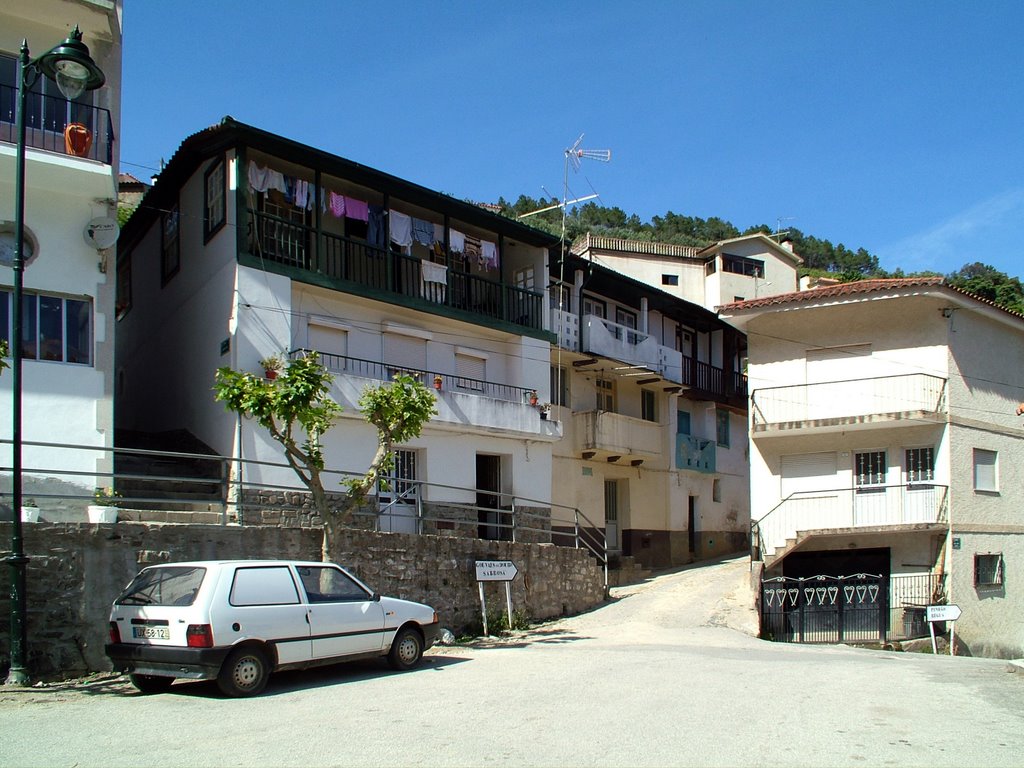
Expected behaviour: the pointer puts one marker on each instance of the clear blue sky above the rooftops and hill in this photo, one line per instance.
(891, 126)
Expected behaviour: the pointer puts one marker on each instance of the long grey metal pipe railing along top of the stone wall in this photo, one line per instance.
(148, 482)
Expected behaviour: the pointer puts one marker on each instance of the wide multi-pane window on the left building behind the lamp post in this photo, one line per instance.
(53, 328)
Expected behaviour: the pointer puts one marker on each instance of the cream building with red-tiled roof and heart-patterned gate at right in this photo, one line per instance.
(884, 442)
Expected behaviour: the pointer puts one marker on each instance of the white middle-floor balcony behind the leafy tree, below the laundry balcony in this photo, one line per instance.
(463, 403)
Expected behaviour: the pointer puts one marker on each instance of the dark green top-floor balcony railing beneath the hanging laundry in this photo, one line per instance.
(355, 262)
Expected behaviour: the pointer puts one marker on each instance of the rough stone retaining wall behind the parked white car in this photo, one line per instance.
(77, 570)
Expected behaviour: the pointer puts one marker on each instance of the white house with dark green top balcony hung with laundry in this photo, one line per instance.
(251, 245)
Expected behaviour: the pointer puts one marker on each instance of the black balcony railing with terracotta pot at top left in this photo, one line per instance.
(48, 117)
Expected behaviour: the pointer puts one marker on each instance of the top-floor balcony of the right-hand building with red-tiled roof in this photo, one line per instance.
(839, 405)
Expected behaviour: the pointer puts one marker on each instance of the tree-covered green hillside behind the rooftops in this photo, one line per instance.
(821, 257)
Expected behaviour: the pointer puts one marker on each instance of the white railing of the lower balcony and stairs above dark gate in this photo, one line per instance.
(848, 508)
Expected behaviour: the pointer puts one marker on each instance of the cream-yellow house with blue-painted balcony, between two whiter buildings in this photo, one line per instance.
(651, 394)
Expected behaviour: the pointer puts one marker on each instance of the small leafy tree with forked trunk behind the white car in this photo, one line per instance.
(296, 410)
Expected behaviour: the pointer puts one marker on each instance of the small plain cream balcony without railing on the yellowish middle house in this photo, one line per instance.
(603, 436)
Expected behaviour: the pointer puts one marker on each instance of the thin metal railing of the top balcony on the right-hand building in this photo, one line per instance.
(852, 399)
